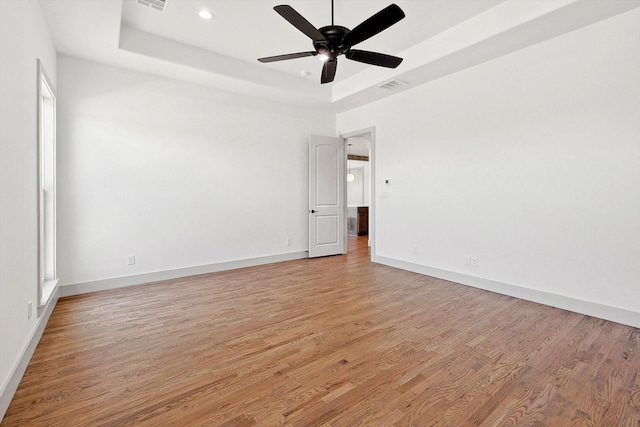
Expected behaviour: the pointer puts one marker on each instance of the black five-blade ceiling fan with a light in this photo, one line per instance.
(334, 40)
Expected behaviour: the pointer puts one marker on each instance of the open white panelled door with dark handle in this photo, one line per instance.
(327, 198)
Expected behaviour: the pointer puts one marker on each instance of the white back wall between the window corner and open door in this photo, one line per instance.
(176, 174)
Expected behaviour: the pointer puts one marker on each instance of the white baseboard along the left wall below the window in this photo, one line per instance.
(10, 387)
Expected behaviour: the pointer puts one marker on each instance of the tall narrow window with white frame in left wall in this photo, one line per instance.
(46, 188)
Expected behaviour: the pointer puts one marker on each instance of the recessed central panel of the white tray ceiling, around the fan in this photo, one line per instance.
(249, 29)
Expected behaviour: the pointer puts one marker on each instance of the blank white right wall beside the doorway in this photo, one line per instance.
(530, 162)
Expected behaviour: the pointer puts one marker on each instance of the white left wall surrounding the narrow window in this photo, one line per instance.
(23, 39)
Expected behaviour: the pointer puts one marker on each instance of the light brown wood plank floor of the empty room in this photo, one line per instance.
(336, 341)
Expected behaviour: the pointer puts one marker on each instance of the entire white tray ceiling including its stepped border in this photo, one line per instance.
(436, 38)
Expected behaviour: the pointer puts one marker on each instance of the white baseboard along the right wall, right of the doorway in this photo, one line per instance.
(601, 311)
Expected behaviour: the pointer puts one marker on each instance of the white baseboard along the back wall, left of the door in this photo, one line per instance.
(138, 279)
